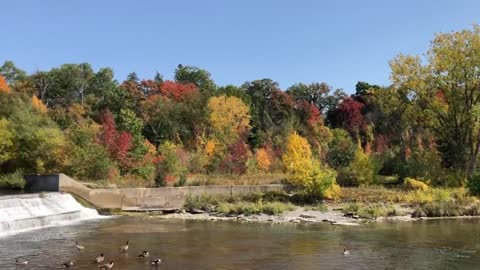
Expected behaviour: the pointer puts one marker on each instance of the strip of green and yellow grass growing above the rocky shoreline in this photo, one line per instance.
(362, 202)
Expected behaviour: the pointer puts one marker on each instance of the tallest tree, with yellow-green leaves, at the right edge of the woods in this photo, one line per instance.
(452, 69)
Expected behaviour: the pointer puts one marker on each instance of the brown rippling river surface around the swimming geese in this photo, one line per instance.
(447, 244)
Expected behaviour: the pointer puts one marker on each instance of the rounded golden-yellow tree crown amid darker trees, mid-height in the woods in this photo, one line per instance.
(229, 117)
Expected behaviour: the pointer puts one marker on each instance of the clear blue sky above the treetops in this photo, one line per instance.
(338, 42)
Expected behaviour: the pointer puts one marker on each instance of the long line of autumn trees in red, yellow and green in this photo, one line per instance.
(424, 125)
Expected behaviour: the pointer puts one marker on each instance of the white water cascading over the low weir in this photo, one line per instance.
(21, 213)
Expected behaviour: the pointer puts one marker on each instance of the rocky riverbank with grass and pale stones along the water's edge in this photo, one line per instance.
(355, 206)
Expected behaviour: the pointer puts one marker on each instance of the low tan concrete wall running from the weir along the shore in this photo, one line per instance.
(137, 199)
